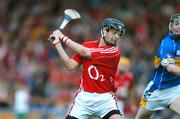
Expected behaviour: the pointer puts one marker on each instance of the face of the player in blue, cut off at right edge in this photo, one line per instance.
(176, 27)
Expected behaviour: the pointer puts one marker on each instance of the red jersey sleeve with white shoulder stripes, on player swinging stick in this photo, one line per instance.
(104, 52)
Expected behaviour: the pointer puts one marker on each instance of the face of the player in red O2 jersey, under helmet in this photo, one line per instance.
(112, 36)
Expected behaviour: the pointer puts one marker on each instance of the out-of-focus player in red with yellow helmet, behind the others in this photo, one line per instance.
(126, 89)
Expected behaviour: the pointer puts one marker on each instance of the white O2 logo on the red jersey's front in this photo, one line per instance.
(97, 75)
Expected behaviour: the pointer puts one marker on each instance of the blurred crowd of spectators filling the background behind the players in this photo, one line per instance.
(30, 67)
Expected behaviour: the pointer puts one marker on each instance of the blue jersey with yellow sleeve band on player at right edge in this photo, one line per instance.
(169, 52)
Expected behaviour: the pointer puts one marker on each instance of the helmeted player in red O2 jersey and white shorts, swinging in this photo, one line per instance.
(100, 60)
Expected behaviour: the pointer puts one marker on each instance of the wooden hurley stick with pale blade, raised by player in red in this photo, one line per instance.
(69, 14)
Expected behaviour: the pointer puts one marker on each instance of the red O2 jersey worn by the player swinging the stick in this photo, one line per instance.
(99, 70)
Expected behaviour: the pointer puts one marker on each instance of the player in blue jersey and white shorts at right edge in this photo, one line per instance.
(163, 91)
